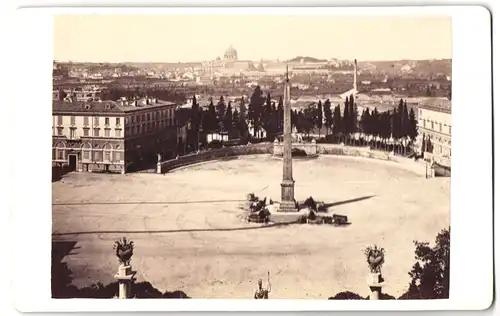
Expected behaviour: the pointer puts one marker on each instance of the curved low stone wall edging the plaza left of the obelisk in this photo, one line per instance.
(213, 154)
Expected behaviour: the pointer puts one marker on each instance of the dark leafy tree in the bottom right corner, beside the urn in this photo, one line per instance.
(430, 275)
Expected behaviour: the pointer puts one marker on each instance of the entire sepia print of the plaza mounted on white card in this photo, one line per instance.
(251, 157)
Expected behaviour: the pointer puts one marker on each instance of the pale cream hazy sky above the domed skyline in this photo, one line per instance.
(173, 38)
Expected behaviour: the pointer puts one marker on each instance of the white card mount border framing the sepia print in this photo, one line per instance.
(471, 238)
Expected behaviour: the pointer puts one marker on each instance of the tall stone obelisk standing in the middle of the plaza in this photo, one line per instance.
(287, 184)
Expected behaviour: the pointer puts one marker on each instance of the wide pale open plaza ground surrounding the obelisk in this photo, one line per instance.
(189, 230)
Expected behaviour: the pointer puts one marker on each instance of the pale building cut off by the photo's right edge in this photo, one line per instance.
(434, 127)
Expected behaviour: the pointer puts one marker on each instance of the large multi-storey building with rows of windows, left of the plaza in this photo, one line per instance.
(112, 136)
